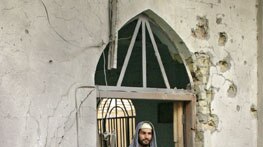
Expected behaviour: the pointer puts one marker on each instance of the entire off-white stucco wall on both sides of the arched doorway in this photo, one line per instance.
(49, 50)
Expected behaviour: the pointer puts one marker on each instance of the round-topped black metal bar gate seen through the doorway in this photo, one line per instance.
(116, 122)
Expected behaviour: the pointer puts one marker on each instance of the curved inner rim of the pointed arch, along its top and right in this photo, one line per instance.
(177, 47)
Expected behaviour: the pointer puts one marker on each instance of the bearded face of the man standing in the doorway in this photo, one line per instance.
(145, 137)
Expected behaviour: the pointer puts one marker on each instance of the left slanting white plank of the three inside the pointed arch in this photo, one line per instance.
(128, 55)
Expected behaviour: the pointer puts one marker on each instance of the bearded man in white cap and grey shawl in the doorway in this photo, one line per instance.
(144, 136)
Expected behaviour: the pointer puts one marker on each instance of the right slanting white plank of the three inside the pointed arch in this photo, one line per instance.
(158, 55)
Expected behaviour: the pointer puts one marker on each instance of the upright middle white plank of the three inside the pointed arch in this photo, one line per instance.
(144, 68)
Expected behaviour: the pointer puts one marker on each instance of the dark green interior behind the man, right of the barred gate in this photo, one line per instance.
(160, 113)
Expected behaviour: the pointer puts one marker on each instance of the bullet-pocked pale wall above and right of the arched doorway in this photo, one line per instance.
(221, 36)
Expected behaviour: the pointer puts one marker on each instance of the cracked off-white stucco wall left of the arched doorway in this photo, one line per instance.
(47, 49)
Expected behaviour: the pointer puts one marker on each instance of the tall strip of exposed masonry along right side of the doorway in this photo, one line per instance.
(199, 66)
